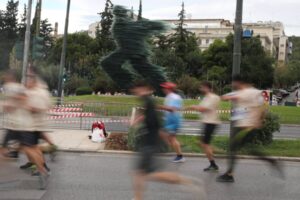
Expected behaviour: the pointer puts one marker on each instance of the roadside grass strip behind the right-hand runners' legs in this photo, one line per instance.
(286, 148)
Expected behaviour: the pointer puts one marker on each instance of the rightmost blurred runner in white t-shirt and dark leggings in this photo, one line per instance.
(248, 118)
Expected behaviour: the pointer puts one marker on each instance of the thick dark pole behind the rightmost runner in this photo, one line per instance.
(236, 64)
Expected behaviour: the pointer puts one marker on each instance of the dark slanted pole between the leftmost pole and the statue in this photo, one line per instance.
(63, 57)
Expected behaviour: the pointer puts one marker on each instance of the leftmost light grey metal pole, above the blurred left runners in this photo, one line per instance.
(26, 42)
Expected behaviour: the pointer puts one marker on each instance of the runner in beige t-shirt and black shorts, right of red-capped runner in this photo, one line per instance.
(210, 119)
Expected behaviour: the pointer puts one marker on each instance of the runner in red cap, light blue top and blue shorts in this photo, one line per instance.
(172, 119)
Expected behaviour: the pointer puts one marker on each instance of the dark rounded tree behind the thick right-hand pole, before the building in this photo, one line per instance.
(256, 63)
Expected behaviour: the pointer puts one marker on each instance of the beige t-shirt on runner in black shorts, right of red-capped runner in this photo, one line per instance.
(210, 102)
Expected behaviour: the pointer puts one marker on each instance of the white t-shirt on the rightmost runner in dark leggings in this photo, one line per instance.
(248, 108)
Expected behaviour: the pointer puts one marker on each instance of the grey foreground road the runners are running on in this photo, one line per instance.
(104, 176)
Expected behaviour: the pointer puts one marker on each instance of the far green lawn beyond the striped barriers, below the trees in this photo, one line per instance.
(288, 115)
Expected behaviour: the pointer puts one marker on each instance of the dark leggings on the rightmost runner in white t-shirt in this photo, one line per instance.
(243, 136)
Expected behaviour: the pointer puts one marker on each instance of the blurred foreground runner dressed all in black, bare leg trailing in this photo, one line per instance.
(147, 167)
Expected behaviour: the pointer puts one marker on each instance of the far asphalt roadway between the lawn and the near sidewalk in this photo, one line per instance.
(188, 127)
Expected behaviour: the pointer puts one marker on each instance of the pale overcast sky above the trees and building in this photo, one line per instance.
(84, 12)
